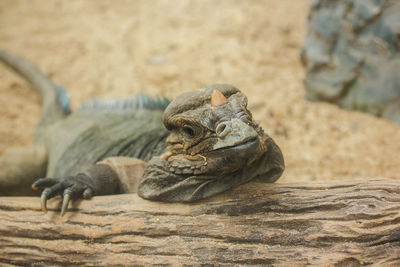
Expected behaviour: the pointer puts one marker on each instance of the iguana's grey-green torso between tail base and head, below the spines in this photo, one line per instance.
(104, 133)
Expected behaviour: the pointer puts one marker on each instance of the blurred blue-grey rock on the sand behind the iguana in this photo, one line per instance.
(352, 55)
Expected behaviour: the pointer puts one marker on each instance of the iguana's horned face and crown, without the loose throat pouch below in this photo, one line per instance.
(211, 132)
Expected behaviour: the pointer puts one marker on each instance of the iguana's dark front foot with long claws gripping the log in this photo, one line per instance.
(69, 188)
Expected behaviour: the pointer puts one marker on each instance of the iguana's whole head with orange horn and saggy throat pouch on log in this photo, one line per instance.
(214, 144)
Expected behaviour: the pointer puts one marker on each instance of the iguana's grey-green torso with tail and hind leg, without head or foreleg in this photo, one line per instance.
(62, 139)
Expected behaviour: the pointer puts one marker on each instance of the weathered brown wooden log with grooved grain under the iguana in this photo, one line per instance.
(346, 224)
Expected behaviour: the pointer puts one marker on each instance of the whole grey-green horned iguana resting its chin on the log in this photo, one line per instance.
(202, 143)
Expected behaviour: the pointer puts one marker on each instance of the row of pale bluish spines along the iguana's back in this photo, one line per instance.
(141, 101)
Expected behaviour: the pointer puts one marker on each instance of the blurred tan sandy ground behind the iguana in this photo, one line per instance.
(119, 48)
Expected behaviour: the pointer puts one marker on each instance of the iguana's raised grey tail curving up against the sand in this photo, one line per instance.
(54, 99)
